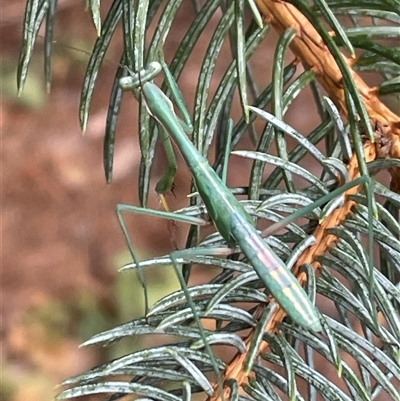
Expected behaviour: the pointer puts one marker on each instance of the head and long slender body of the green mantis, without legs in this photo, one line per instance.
(229, 217)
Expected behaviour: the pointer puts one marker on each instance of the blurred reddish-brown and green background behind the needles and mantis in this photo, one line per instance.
(61, 242)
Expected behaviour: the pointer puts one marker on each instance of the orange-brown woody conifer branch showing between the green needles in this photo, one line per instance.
(310, 49)
